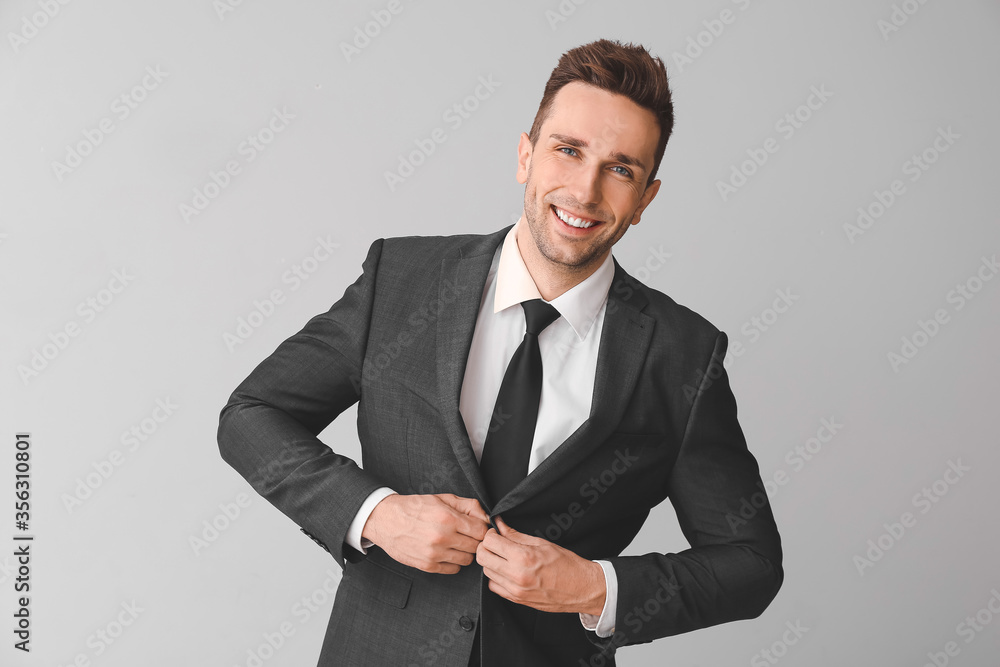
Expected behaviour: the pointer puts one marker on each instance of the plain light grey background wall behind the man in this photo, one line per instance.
(162, 337)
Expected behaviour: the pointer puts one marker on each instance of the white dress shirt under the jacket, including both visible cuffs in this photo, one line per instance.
(569, 348)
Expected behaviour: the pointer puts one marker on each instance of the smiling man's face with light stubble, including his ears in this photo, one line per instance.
(590, 165)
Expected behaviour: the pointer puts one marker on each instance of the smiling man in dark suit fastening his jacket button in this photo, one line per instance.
(461, 543)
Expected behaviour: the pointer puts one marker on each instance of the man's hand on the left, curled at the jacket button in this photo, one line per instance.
(434, 533)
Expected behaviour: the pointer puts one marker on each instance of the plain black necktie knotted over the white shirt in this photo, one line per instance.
(512, 426)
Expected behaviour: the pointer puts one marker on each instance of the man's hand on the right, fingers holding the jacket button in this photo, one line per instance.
(537, 573)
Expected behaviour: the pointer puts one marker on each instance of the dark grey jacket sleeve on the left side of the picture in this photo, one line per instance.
(268, 429)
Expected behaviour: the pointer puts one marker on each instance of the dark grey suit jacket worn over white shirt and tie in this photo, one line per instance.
(663, 424)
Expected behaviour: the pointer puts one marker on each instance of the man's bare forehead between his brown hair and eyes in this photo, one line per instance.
(607, 121)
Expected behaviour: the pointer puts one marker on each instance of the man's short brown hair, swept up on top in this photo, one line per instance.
(624, 69)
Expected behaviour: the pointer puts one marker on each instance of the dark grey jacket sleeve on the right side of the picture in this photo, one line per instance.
(733, 569)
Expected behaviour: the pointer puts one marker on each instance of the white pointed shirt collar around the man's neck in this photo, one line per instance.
(578, 305)
